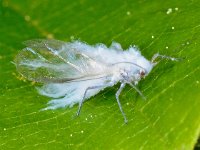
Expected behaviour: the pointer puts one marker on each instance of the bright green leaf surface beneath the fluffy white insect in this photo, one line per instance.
(168, 119)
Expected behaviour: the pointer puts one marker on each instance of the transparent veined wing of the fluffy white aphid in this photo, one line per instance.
(54, 61)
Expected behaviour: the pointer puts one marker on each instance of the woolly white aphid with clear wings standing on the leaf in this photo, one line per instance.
(73, 72)
